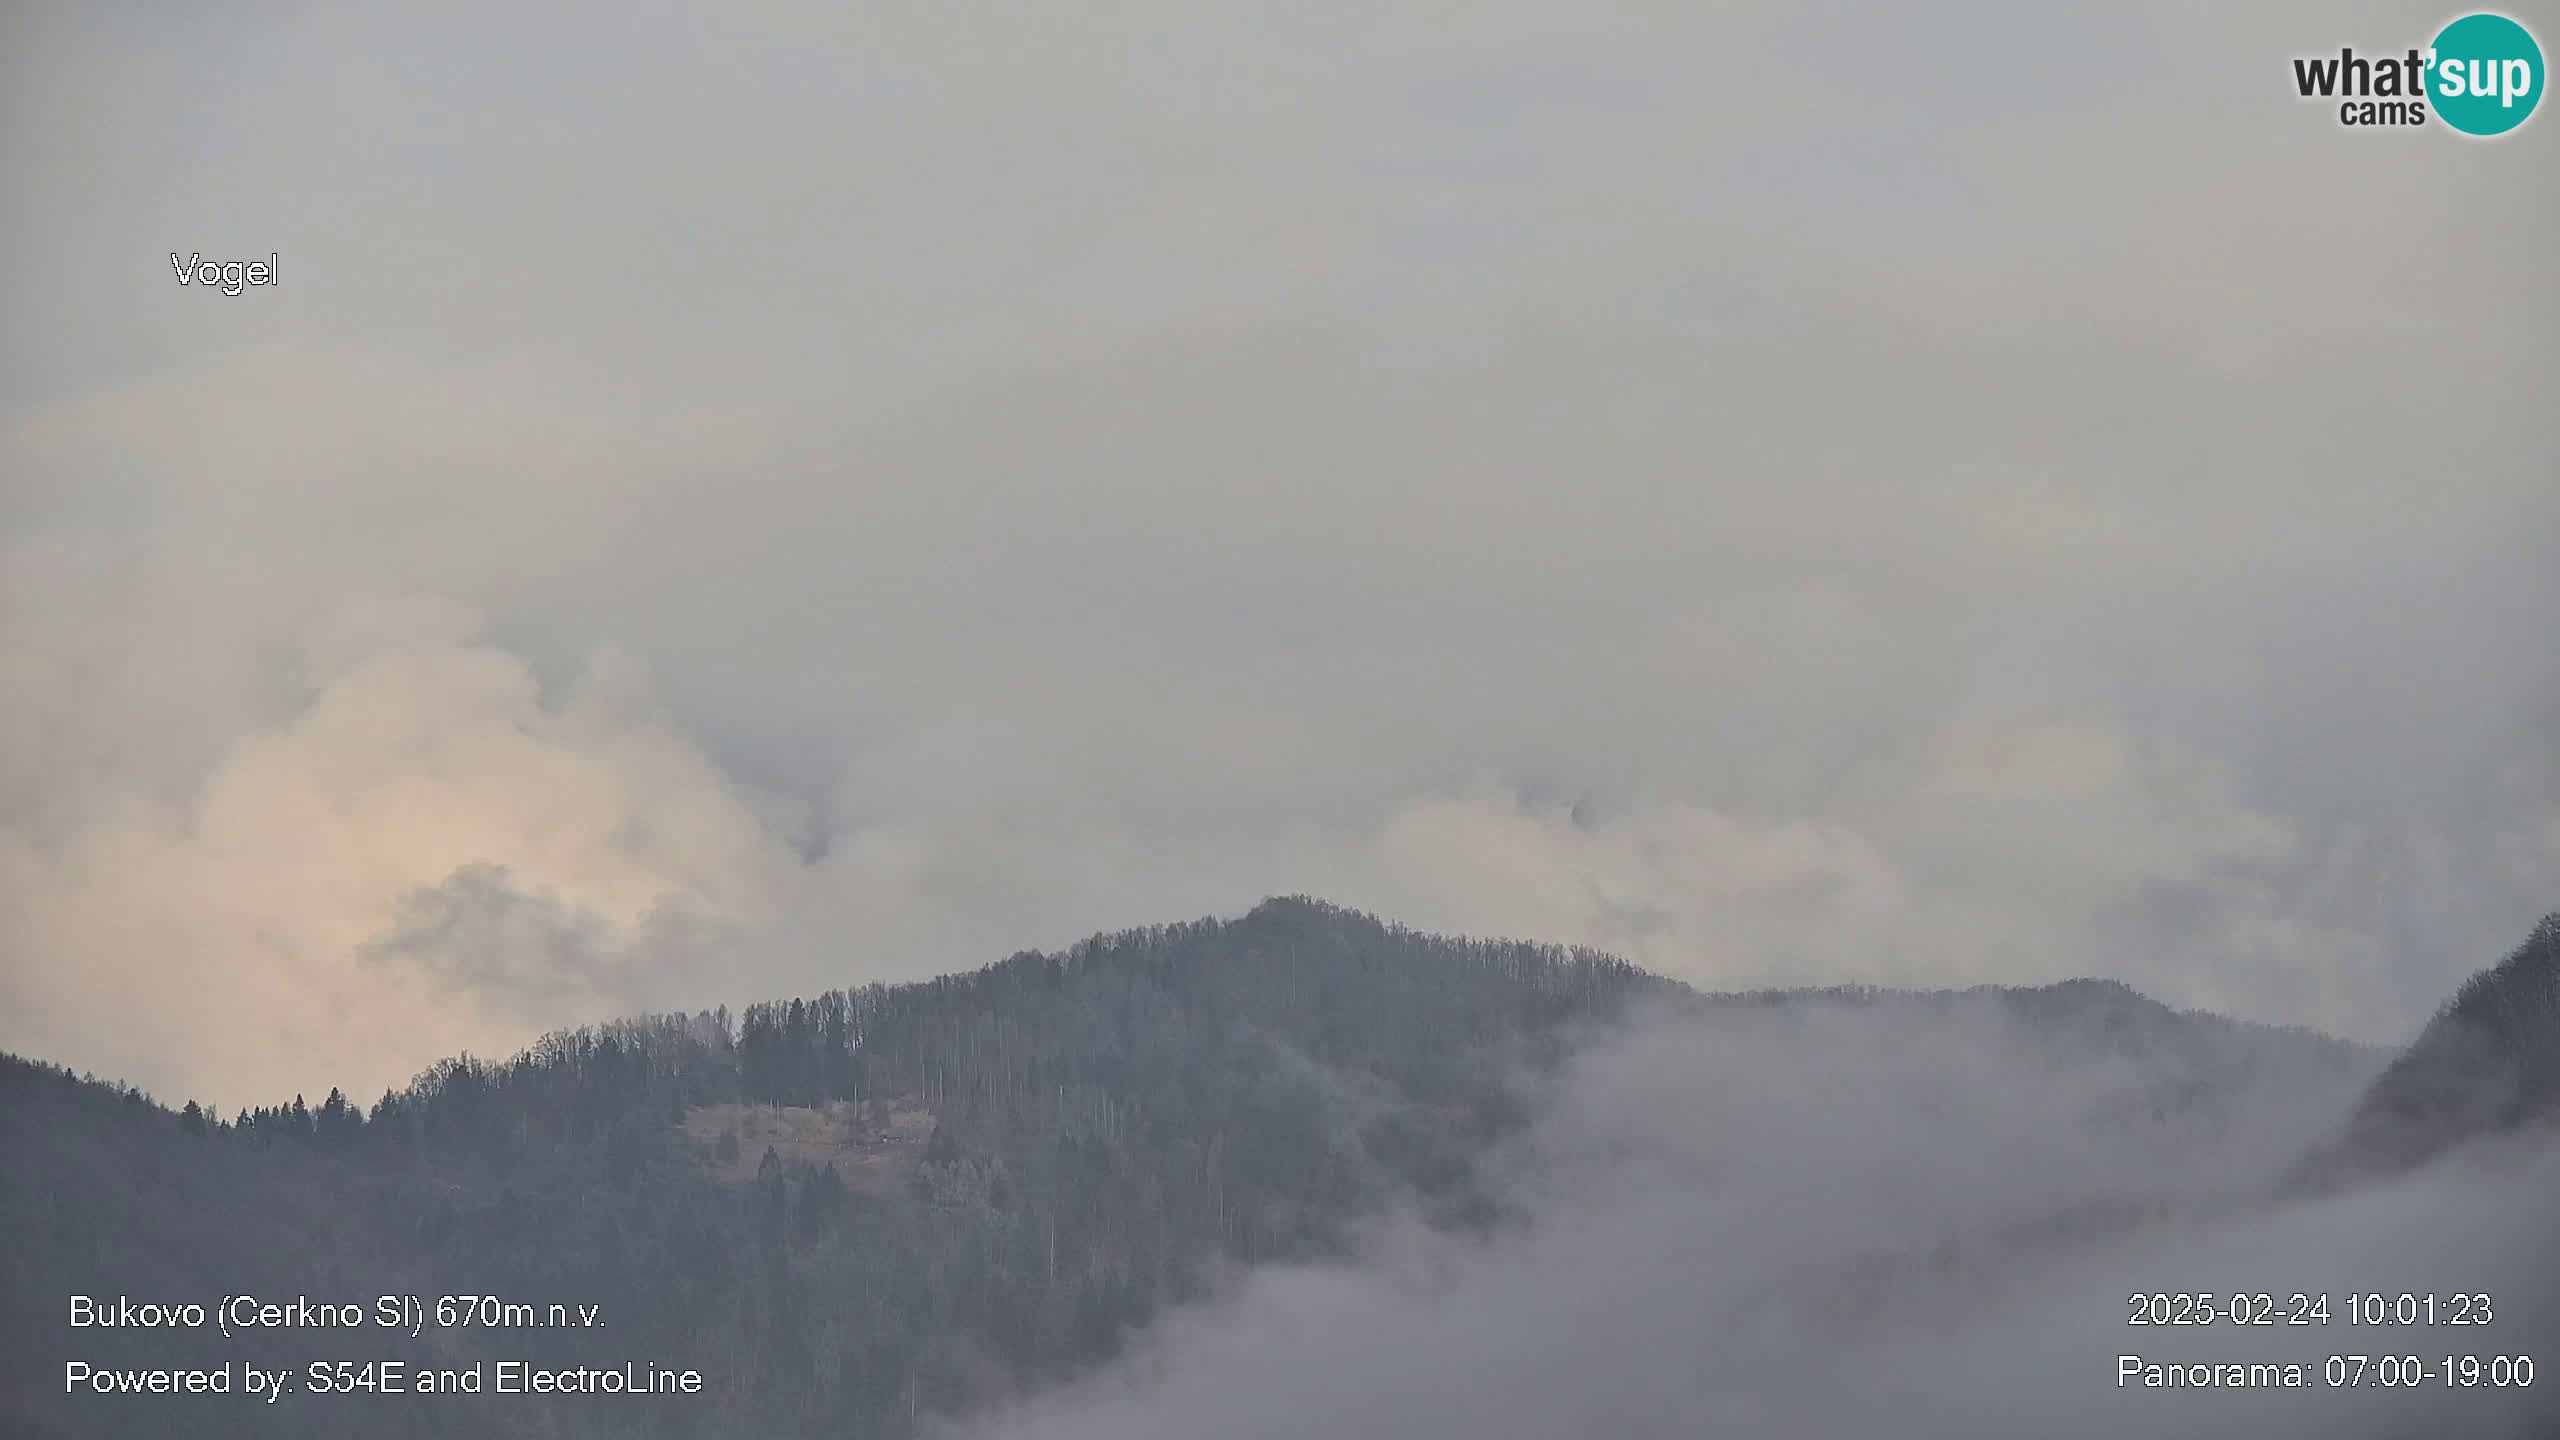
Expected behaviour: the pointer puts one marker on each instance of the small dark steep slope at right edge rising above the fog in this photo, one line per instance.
(2490, 1062)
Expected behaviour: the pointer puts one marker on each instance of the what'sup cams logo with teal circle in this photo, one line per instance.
(2479, 76)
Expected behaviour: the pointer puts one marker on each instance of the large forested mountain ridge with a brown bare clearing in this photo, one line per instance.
(877, 1206)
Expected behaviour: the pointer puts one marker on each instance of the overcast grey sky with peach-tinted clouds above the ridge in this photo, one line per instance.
(739, 501)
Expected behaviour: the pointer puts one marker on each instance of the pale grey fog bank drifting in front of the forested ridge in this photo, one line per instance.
(1862, 1223)
